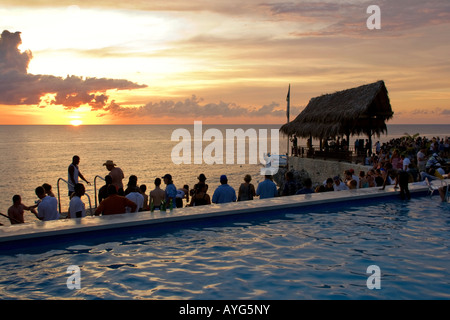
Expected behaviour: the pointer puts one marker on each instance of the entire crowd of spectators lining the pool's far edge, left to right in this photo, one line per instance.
(396, 162)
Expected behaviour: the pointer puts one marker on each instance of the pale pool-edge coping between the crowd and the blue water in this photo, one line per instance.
(41, 229)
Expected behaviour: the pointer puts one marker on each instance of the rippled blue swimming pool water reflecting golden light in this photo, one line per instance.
(305, 253)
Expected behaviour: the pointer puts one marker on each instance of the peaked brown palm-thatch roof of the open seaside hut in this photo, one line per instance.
(361, 110)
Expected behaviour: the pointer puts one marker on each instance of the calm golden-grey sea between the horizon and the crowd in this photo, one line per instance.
(33, 155)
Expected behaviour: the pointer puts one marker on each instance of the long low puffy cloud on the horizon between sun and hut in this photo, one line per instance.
(194, 107)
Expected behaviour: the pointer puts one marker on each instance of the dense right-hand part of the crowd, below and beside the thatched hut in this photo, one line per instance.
(397, 162)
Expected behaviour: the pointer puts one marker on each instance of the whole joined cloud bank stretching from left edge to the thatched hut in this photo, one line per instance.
(18, 87)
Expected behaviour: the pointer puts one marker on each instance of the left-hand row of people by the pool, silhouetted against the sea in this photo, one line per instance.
(116, 198)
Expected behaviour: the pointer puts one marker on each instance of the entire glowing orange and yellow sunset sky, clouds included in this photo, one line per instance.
(159, 61)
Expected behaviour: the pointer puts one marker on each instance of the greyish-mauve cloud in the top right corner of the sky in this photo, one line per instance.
(348, 18)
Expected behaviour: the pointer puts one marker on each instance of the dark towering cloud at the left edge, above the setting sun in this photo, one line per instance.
(18, 87)
